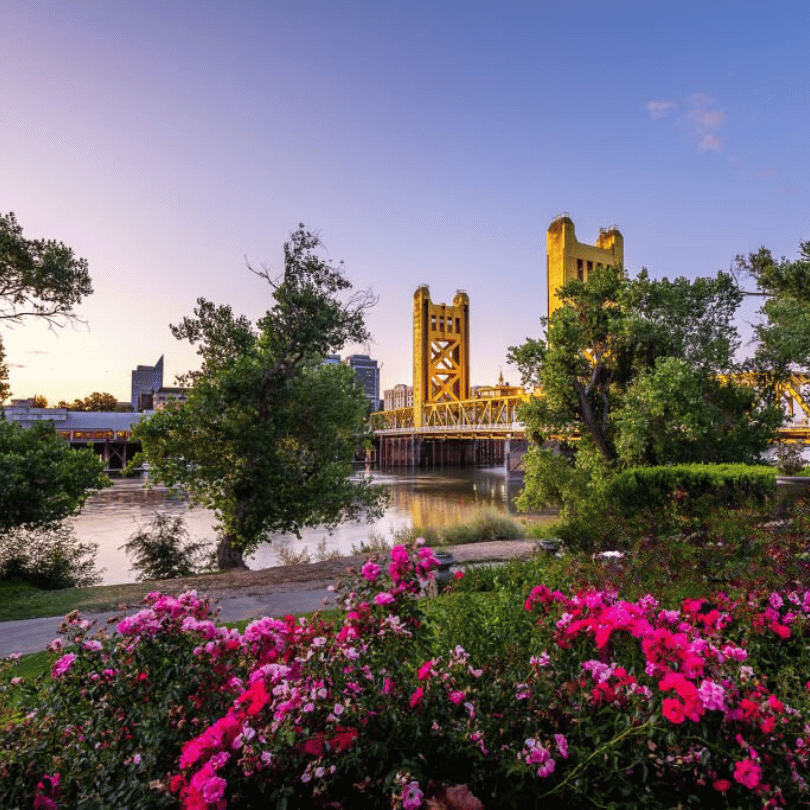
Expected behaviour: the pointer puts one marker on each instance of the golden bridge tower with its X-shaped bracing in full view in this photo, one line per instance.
(441, 350)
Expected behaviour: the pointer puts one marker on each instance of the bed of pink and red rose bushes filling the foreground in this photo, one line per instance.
(582, 700)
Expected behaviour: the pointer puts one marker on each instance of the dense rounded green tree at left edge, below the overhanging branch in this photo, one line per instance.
(44, 479)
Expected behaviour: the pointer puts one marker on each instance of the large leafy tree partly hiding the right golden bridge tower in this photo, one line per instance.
(637, 370)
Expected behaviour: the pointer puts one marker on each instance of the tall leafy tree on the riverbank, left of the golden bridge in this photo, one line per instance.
(266, 435)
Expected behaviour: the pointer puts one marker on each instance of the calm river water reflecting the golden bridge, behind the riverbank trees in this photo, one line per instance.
(416, 498)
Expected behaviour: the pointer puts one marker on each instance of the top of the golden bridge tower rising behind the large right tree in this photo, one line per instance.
(567, 259)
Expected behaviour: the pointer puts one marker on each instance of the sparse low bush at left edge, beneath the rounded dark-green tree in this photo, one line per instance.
(48, 557)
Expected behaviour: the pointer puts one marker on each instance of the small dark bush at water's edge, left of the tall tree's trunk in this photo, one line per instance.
(164, 550)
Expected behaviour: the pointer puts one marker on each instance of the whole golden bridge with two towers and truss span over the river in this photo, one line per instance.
(451, 424)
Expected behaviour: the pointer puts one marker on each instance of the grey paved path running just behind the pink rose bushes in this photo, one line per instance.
(33, 635)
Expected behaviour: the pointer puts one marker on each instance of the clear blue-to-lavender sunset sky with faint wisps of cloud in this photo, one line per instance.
(433, 143)
